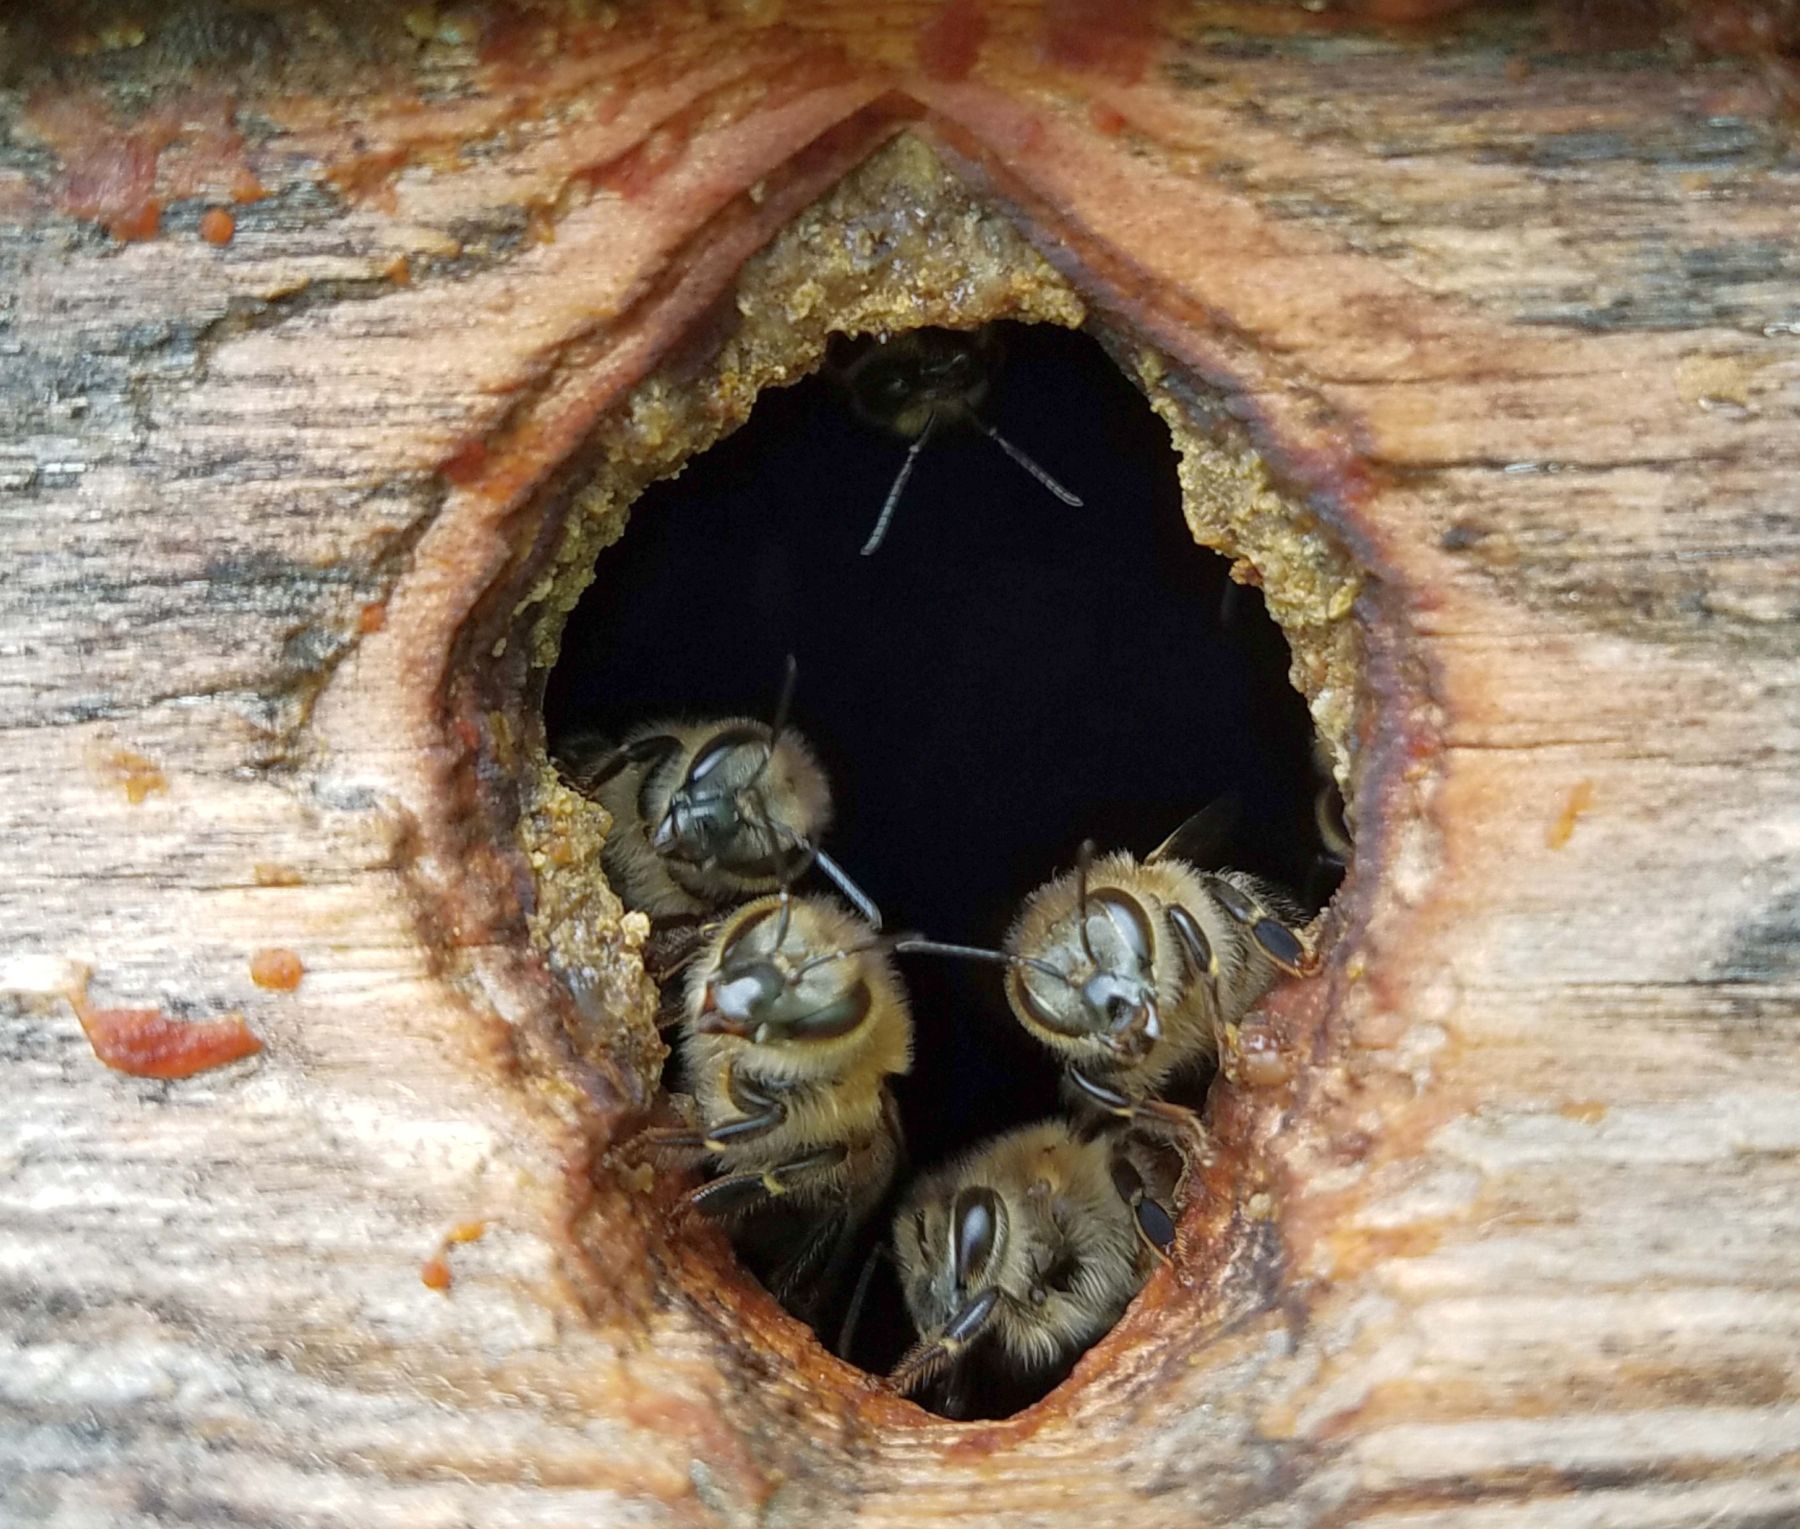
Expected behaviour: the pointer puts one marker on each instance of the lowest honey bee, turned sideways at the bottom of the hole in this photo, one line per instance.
(1030, 1247)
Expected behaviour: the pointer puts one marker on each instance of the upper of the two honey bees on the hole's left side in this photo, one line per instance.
(710, 813)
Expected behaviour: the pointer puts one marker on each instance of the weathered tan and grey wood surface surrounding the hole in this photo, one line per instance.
(1529, 336)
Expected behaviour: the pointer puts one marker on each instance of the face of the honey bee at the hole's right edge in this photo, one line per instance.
(1092, 984)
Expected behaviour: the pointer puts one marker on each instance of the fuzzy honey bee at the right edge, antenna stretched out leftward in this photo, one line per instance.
(1131, 970)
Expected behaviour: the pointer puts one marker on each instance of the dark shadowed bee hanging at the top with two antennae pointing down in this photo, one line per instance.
(917, 383)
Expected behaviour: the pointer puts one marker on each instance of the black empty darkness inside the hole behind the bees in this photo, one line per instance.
(1005, 678)
